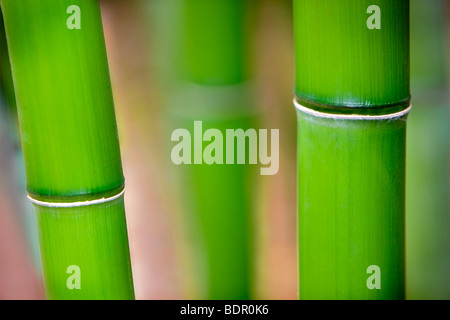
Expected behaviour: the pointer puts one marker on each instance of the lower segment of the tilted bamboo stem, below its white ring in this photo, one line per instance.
(94, 238)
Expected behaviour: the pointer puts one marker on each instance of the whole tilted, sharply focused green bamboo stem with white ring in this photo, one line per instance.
(70, 146)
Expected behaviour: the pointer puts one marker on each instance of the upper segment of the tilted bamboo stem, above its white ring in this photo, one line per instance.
(65, 105)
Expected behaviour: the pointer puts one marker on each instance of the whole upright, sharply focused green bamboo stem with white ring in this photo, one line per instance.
(351, 169)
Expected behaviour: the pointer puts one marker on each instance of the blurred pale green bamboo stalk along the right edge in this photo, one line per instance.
(427, 191)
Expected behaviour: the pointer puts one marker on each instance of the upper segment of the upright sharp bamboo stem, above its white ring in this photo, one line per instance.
(340, 62)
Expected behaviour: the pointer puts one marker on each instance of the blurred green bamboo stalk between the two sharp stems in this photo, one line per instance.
(208, 85)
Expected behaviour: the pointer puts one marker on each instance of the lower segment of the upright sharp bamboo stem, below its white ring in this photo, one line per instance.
(351, 195)
